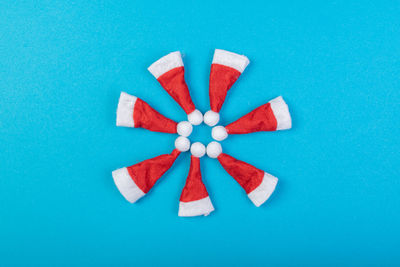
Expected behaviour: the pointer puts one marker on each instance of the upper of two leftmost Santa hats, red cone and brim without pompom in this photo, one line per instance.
(134, 112)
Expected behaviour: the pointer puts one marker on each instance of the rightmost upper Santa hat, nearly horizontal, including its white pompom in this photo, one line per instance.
(271, 116)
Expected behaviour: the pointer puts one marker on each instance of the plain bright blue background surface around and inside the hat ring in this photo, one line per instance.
(63, 65)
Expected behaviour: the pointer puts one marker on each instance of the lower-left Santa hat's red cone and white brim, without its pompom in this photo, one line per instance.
(135, 181)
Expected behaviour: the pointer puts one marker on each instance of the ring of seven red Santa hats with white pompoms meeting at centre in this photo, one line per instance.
(136, 181)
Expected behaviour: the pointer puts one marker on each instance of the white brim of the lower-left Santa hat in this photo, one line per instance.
(126, 185)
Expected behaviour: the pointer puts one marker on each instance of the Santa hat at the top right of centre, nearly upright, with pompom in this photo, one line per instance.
(225, 70)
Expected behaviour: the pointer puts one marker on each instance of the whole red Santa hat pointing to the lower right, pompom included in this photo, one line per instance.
(258, 184)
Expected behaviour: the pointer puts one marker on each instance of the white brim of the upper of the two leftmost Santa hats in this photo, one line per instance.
(125, 108)
